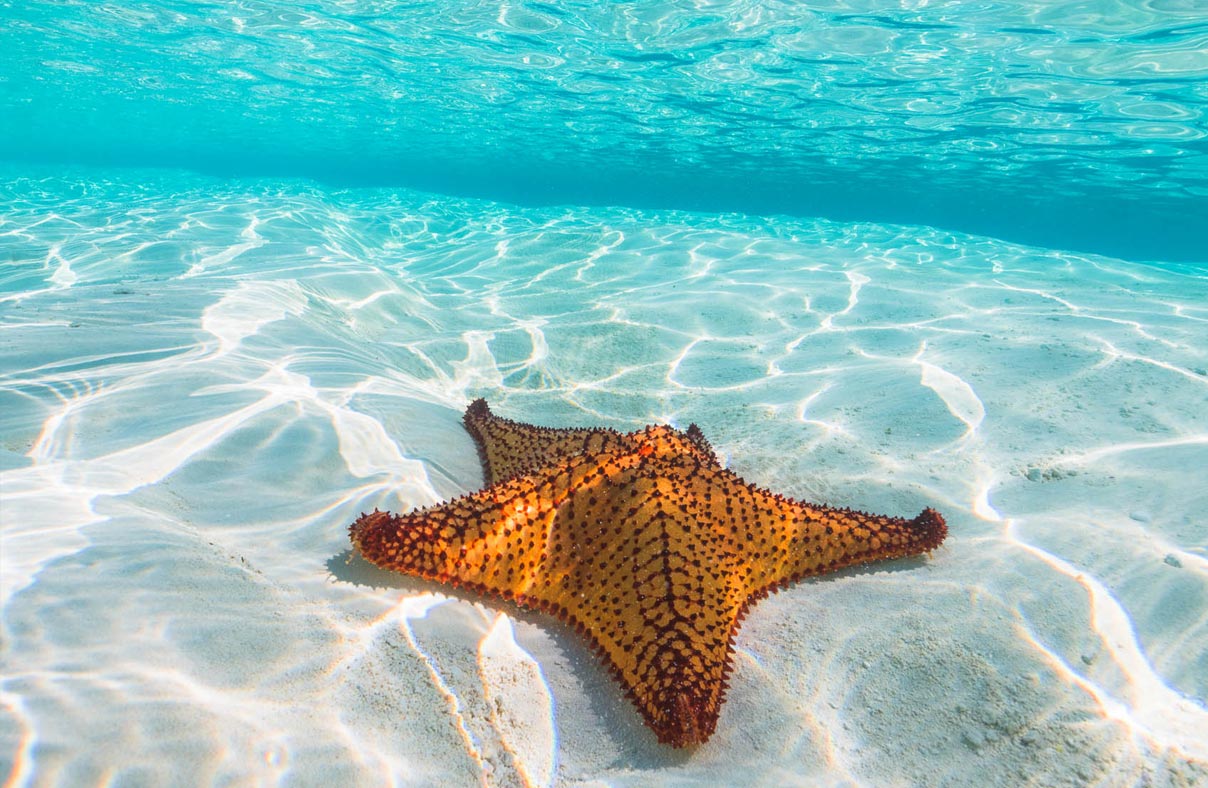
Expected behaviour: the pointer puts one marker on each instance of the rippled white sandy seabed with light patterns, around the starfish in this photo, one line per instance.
(205, 383)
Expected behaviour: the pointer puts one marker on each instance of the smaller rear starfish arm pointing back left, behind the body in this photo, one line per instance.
(509, 449)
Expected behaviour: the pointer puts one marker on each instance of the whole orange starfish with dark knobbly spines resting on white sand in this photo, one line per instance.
(642, 542)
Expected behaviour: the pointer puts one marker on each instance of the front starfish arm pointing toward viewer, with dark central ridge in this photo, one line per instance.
(654, 596)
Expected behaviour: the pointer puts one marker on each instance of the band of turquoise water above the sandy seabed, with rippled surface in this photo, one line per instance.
(1064, 125)
